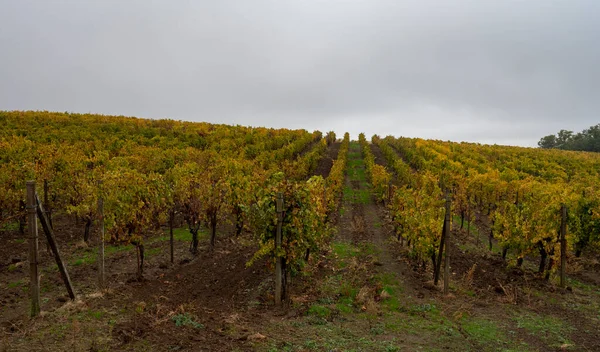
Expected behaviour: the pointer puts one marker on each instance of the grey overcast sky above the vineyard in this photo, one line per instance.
(495, 71)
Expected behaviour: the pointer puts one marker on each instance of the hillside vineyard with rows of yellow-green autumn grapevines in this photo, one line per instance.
(387, 245)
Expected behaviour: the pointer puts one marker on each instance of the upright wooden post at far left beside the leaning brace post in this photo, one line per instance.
(34, 277)
